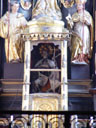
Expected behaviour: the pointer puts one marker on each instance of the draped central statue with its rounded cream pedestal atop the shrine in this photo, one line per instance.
(47, 17)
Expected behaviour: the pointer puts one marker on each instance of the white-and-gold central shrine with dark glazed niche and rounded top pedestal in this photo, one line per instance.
(49, 88)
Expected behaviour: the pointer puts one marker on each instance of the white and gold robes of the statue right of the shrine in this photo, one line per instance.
(83, 26)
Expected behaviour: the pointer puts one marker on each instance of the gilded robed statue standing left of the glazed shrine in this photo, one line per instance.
(12, 25)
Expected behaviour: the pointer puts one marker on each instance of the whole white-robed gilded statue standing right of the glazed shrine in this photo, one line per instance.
(82, 24)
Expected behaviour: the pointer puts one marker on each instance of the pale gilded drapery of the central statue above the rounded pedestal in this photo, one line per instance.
(46, 8)
